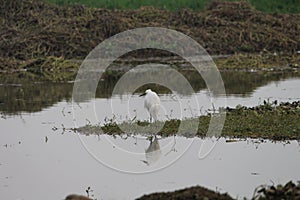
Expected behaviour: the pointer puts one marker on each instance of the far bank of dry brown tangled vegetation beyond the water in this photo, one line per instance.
(45, 39)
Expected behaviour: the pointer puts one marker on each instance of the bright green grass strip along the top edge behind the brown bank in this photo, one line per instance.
(270, 6)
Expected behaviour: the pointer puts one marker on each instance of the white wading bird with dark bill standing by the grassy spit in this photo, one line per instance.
(152, 104)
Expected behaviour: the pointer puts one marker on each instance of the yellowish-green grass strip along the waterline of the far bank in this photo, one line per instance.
(59, 69)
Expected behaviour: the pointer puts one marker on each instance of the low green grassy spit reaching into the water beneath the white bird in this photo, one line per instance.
(267, 121)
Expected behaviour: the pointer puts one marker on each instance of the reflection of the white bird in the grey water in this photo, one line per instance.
(153, 152)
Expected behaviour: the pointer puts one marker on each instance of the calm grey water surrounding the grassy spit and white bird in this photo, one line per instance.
(39, 159)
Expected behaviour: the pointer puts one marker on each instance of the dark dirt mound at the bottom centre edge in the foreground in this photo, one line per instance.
(189, 193)
